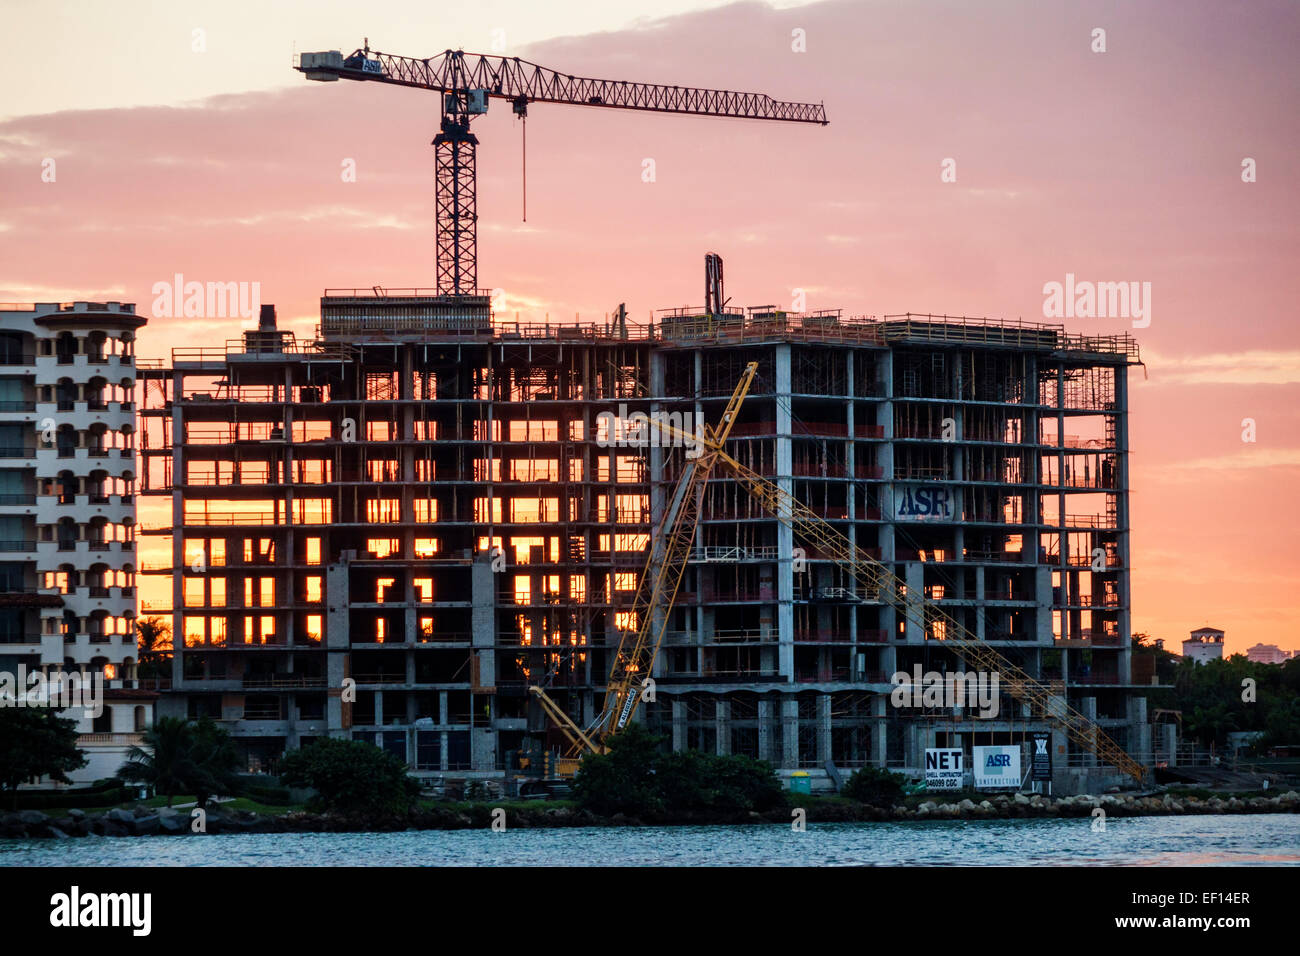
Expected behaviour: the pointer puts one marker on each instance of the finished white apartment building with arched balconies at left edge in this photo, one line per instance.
(68, 557)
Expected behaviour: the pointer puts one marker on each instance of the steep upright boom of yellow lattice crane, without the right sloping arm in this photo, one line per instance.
(666, 564)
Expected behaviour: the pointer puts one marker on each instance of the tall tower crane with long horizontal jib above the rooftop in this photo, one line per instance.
(469, 81)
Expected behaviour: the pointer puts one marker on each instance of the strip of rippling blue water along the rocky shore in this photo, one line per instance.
(1240, 840)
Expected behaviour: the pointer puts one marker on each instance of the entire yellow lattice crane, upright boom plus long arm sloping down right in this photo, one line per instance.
(878, 583)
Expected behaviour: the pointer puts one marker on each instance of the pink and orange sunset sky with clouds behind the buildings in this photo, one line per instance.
(184, 142)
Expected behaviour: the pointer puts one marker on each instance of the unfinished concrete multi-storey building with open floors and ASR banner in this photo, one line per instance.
(395, 530)
